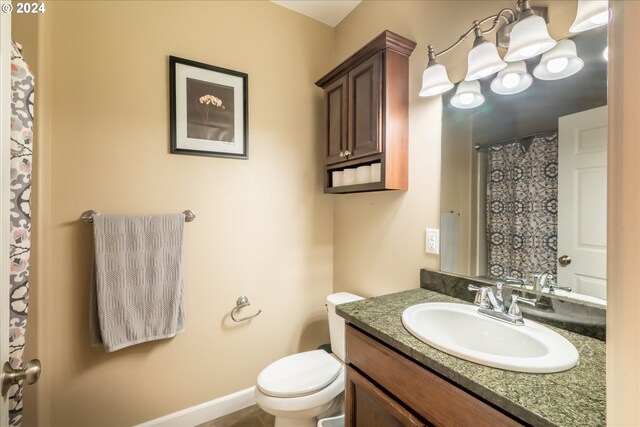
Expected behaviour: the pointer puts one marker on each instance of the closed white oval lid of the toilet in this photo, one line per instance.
(299, 374)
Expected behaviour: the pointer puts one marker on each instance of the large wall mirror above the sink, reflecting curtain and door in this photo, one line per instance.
(523, 195)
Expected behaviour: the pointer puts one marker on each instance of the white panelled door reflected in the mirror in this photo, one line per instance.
(582, 202)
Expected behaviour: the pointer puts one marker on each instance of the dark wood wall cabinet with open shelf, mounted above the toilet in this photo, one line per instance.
(366, 104)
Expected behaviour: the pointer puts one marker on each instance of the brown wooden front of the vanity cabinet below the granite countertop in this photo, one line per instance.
(385, 388)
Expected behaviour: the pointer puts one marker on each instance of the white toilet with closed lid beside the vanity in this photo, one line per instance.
(303, 387)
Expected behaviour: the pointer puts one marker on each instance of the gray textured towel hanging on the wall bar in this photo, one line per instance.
(137, 290)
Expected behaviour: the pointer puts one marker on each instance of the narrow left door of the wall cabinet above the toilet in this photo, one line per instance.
(335, 98)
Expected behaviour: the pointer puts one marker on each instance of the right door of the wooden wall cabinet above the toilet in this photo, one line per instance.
(365, 107)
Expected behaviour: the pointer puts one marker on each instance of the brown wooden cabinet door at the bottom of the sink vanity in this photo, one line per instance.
(369, 406)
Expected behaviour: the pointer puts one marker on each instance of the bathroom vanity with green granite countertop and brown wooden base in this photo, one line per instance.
(394, 379)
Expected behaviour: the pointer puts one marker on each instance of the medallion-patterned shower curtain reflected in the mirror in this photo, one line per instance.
(522, 208)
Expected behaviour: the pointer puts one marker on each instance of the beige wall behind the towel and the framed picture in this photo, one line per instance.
(263, 227)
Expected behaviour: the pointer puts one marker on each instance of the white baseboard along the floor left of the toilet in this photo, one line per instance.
(205, 411)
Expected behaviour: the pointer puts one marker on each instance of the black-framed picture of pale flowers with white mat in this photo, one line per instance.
(208, 110)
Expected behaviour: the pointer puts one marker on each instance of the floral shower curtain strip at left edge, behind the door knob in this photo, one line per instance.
(22, 96)
